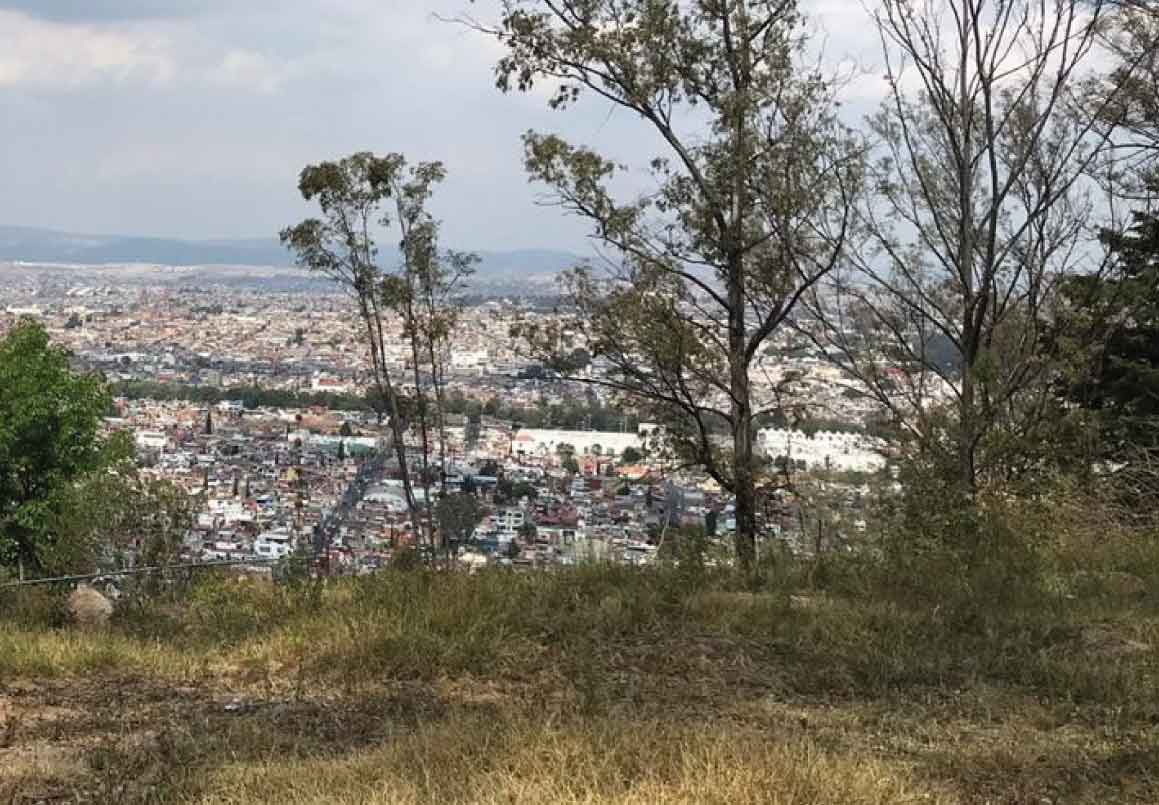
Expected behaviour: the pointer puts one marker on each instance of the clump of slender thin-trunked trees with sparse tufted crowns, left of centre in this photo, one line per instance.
(361, 196)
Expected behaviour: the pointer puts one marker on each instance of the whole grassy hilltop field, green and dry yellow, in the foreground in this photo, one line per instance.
(595, 685)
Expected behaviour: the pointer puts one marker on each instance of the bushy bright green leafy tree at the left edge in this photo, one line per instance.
(50, 441)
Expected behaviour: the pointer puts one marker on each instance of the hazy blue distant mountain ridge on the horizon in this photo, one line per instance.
(47, 246)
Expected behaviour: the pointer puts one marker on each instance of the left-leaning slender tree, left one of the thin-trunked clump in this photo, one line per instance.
(340, 246)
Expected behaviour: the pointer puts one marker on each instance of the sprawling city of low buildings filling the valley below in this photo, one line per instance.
(269, 481)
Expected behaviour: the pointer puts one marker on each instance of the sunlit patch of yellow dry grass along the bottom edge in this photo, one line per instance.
(608, 762)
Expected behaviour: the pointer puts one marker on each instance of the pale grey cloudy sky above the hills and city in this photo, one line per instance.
(192, 119)
